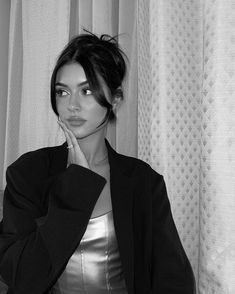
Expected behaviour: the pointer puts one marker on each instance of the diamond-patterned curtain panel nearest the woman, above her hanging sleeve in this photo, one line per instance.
(169, 88)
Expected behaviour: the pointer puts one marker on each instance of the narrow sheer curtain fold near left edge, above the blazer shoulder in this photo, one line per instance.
(15, 63)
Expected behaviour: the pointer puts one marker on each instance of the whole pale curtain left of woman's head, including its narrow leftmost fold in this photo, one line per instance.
(38, 32)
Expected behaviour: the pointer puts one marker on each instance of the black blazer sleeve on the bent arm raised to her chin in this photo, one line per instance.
(31, 255)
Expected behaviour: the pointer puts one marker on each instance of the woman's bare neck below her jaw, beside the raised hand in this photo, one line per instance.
(94, 147)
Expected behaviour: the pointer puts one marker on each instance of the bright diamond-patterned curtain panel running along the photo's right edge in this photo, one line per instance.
(217, 200)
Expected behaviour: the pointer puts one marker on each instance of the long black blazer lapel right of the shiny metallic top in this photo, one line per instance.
(122, 195)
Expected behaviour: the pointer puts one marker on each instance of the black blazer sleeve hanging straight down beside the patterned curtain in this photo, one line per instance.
(171, 272)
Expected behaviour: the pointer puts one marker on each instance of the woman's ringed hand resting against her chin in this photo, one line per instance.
(75, 154)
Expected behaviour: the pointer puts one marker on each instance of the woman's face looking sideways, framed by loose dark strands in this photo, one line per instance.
(76, 105)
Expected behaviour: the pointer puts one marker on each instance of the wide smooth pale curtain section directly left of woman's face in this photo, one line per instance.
(45, 32)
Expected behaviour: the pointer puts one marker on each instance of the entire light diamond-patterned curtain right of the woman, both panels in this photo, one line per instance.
(186, 125)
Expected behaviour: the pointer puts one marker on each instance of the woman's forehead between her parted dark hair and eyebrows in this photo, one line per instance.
(71, 73)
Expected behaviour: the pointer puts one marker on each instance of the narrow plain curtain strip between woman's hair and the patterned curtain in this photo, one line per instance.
(126, 137)
